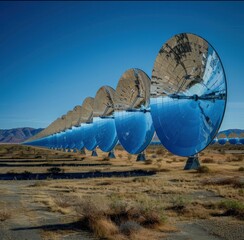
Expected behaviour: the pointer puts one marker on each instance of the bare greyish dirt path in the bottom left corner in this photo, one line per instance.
(32, 221)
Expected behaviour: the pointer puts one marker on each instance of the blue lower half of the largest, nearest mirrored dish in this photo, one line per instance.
(182, 127)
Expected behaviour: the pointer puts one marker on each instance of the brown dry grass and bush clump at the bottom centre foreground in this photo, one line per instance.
(110, 217)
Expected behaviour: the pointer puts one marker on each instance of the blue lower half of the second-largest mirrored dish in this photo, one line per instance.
(135, 130)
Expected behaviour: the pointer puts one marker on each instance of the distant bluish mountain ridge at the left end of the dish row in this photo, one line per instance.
(17, 135)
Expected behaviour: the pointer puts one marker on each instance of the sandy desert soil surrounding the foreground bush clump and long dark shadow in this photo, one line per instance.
(46, 209)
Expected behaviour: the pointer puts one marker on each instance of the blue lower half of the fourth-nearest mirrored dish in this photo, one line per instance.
(88, 132)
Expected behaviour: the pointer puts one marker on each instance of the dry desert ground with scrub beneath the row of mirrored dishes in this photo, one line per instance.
(50, 194)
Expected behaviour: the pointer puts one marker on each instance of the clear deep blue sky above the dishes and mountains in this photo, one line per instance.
(54, 54)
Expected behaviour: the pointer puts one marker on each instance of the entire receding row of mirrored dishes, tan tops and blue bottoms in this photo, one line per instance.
(184, 103)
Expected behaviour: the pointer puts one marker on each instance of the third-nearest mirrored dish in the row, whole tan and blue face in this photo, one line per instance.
(103, 119)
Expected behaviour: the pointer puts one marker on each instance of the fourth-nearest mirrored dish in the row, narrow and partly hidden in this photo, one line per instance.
(87, 125)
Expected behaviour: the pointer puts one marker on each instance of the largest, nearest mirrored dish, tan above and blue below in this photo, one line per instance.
(188, 94)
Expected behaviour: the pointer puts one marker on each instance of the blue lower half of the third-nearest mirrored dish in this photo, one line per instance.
(106, 136)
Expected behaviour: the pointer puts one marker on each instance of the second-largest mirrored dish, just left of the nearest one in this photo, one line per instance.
(132, 117)
